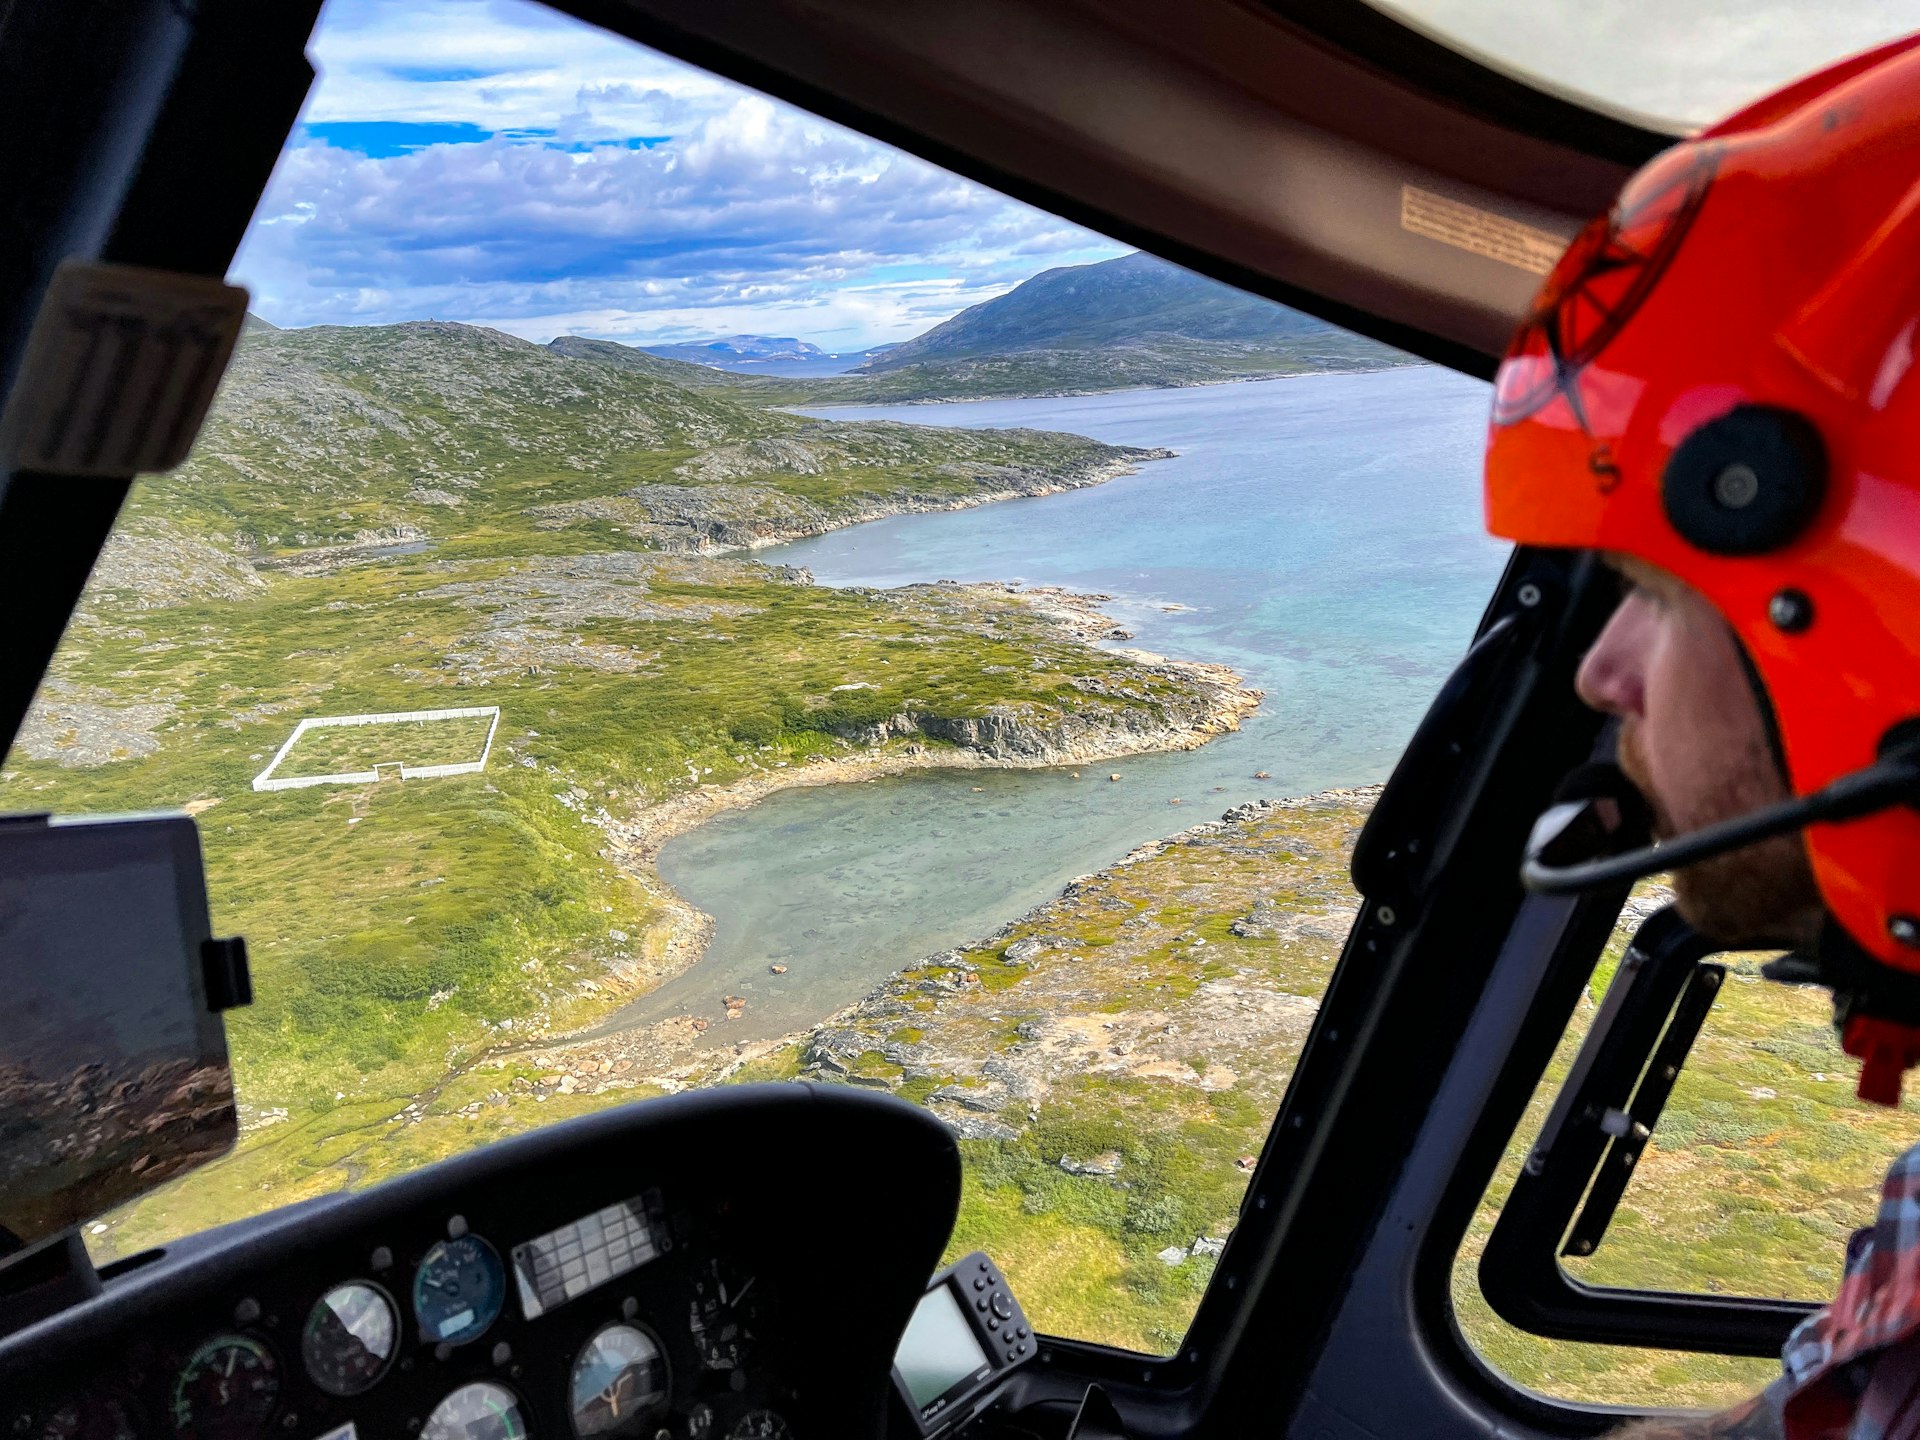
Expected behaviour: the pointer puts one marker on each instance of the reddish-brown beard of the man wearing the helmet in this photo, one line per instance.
(1762, 896)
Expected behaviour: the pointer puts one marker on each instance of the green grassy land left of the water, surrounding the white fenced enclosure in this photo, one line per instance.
(400, 930)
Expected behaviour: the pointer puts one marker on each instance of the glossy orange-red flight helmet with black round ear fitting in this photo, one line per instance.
(1719, 379)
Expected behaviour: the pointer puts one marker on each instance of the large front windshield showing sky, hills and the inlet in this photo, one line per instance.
(506, 679)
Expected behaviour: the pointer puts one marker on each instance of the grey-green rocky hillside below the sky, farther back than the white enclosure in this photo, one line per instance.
(341, 441)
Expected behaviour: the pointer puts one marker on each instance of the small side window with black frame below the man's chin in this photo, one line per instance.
(1760, 1166)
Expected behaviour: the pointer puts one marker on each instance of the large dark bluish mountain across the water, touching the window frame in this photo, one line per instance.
(1136, 300)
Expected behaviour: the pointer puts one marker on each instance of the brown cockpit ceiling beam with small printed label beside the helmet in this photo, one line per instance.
(1222, 133)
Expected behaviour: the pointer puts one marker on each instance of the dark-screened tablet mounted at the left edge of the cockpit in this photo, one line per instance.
(114, 1068)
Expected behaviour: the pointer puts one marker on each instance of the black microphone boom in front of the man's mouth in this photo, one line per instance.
(1570, 852)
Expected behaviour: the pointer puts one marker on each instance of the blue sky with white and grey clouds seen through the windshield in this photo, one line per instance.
(492, 162)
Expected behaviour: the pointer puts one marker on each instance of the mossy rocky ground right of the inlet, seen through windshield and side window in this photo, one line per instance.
(1118, 1082)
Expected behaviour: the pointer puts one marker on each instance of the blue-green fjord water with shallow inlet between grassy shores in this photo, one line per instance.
(1324, 537)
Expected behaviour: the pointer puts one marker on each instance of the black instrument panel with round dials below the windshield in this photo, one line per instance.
(650, 1299)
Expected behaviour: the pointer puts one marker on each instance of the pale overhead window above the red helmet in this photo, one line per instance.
(1677, 68)
